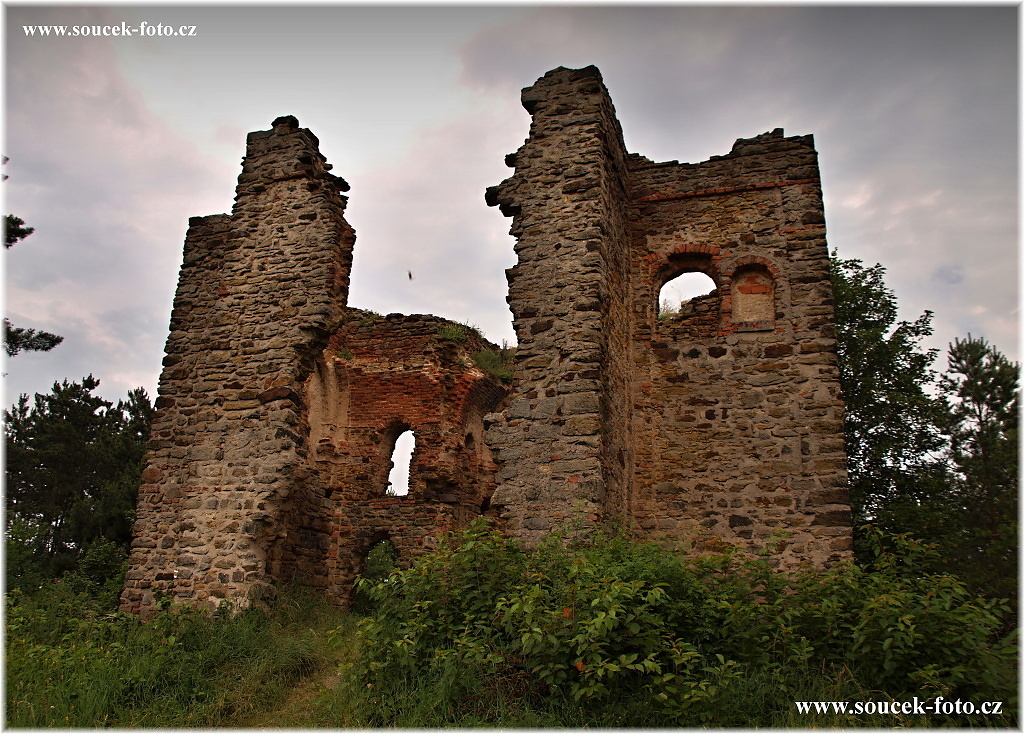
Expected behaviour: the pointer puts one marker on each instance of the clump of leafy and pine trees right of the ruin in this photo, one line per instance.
(935, 459)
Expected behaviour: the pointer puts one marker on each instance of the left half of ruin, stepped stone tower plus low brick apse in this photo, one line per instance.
(279, 406)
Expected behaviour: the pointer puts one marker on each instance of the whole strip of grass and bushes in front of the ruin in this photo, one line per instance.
(602, 633)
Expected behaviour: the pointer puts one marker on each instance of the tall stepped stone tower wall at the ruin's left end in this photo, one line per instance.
(258, 294)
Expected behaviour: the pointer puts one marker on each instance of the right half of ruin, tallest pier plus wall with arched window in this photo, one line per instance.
(720, 426)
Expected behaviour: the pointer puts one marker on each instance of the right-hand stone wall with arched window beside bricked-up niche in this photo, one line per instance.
(740, 424)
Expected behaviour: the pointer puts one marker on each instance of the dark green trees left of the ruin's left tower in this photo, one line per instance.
(74, 466)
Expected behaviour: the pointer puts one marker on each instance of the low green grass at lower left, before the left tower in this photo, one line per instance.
(72, 664)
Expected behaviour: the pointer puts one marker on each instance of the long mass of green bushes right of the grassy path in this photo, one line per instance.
(611, 632)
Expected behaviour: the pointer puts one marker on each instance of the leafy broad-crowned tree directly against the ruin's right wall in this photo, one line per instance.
(893, 423)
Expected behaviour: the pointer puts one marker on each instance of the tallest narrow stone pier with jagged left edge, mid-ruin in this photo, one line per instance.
(561, 445)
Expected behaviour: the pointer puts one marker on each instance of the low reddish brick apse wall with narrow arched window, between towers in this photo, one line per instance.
(378, 378)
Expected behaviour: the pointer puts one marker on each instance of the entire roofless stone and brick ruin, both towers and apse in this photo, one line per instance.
(280, 405)
